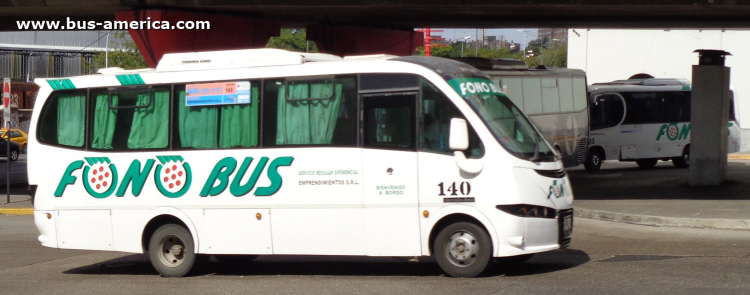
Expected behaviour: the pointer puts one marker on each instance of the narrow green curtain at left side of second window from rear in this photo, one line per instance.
(104, 122)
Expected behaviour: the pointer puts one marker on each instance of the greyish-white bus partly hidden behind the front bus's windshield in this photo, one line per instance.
(553, 98)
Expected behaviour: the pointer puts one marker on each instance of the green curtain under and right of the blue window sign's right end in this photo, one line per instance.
(239, 124)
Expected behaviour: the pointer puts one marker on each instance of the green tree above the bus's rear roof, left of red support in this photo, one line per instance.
(123, 53)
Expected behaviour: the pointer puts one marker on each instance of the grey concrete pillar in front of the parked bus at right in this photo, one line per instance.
(709, 119)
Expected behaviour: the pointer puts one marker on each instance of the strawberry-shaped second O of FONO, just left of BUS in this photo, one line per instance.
(172, 176)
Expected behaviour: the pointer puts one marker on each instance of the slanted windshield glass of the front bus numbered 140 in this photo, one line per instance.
(510, 127)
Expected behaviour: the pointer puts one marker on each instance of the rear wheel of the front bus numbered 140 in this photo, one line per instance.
(172, 251)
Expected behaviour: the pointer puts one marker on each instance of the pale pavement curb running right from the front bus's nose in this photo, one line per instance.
(733, 224)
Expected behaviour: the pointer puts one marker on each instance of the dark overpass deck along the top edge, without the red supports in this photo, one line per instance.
(414, 13)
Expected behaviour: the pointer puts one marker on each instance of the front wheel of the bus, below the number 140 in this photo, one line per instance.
(463, 250)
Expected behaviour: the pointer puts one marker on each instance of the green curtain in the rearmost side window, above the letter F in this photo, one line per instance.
(71, 111)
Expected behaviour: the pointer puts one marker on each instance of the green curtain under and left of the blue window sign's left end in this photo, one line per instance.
(197, 125)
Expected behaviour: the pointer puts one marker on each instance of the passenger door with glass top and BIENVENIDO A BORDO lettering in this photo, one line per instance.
(390, 174)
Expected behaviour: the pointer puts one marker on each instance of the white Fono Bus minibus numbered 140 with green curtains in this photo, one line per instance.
(261, 152)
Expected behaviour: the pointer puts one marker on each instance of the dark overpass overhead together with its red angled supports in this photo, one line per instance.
(346, 27)
